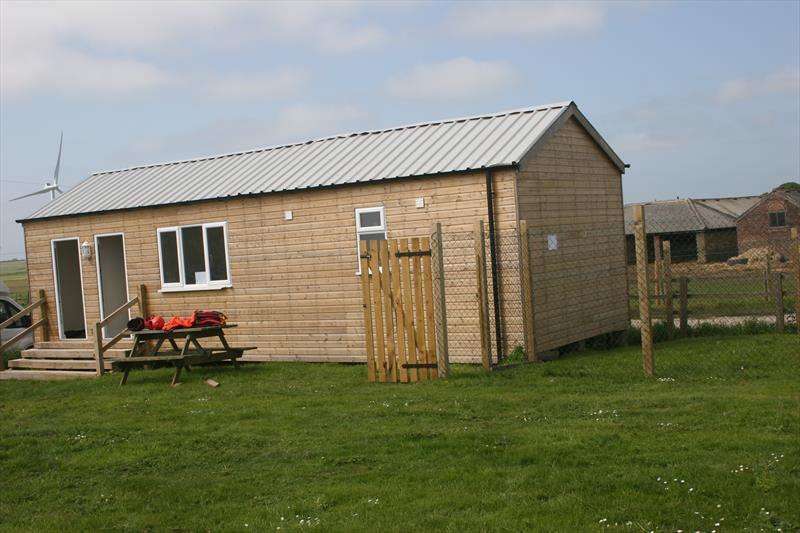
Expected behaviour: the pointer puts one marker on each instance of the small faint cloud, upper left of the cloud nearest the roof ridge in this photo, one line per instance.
(280, 83)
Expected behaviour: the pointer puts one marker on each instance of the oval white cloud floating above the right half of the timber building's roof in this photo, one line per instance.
(458, 78)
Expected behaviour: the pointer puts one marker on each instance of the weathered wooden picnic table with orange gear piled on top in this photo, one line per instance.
(147, 350)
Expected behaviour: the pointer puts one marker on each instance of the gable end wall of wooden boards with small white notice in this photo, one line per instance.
(572, 190)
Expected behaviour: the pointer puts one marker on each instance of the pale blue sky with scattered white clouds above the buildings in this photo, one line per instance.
(702, 99)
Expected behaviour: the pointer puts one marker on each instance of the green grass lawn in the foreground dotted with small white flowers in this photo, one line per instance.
(580, 444)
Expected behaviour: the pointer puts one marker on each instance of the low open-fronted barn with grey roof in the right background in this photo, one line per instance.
(702, 230)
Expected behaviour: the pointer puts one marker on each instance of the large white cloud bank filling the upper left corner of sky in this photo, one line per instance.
(119, 46)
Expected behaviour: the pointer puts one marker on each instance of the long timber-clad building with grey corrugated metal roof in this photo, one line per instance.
(270, 236)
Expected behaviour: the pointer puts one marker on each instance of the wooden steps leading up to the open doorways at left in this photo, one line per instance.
(59, 360)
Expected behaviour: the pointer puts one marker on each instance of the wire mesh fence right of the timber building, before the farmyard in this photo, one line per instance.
(705, 267)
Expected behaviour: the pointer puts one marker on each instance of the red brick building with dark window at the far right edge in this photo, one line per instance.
(769, 222)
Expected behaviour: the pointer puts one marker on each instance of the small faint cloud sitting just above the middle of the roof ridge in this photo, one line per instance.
(306, 120)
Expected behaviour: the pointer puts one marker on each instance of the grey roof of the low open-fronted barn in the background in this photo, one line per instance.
(690, 215)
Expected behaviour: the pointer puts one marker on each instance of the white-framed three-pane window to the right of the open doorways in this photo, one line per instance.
(194, 257)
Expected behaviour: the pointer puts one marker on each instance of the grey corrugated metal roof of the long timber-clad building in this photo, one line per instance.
(456, 145)
